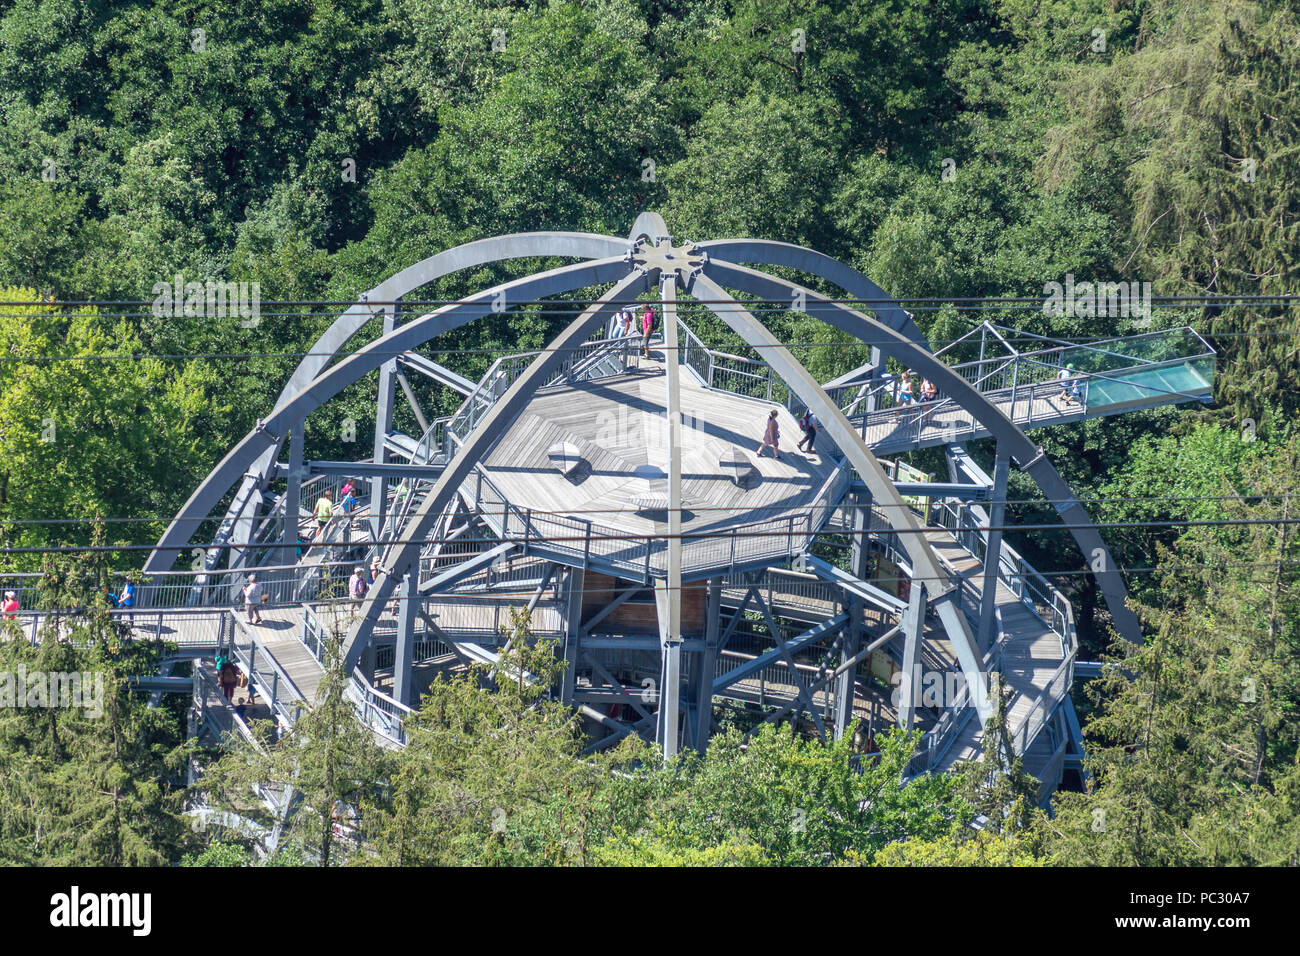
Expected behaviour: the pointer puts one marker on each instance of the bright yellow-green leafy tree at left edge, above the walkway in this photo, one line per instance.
(96, 430)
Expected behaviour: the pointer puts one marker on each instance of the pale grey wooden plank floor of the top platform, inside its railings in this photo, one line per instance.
(619, 427)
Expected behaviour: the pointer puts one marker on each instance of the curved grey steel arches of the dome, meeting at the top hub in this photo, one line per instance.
(644, 261)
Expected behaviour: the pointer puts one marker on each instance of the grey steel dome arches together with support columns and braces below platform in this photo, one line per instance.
(688, 677)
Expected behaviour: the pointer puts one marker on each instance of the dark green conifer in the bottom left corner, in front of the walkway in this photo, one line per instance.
(97, 781)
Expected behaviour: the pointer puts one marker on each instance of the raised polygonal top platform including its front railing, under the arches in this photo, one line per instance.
(614, 503)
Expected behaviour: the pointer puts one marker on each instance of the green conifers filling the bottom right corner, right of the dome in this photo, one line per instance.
(1195, 745)
